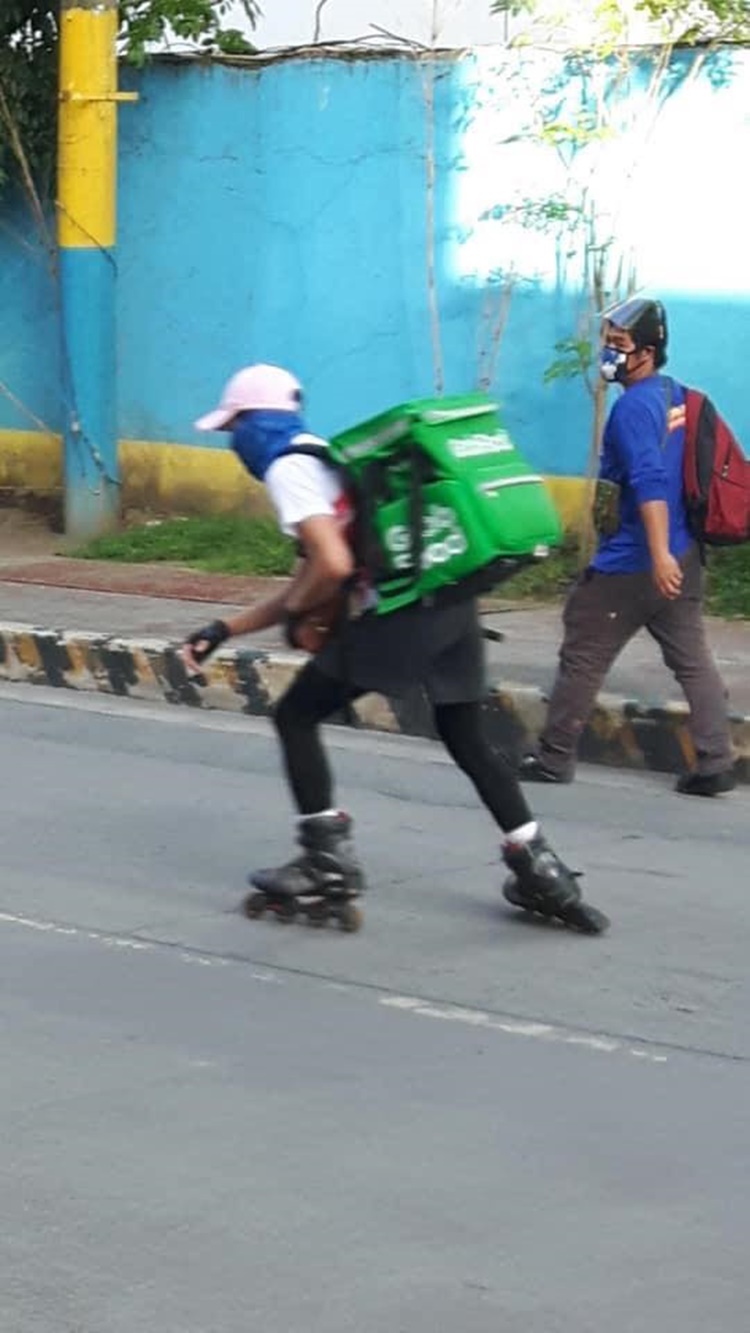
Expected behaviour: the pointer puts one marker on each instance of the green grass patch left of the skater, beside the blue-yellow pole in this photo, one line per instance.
(218, 545)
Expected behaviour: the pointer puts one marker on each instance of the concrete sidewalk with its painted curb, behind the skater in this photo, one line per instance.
(110, 627)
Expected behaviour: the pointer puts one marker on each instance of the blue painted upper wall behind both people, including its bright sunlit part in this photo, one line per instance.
(279, 213)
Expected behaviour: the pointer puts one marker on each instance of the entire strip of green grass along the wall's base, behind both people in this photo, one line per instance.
(255, 547)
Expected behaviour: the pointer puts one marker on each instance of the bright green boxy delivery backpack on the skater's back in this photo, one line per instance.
(447, 507)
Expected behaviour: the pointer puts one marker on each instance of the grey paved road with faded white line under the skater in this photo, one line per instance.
(454, 1122)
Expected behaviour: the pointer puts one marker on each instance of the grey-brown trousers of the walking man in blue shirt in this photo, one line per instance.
(603, 614)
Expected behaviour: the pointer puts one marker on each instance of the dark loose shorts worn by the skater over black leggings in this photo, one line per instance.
(439, 649)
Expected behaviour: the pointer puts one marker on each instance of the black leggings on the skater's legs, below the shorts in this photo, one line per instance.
(314, 696)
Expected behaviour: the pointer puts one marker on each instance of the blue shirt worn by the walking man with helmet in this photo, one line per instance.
(643, 451)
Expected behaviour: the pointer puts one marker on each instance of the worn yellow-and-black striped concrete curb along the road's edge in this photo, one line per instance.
(621, 734)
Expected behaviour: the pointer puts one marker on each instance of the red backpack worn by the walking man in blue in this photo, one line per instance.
(717, 477)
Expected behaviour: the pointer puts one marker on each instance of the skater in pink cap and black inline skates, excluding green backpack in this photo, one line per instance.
(327, 609)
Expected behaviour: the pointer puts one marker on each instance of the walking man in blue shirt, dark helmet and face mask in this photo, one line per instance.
(647, 573)
